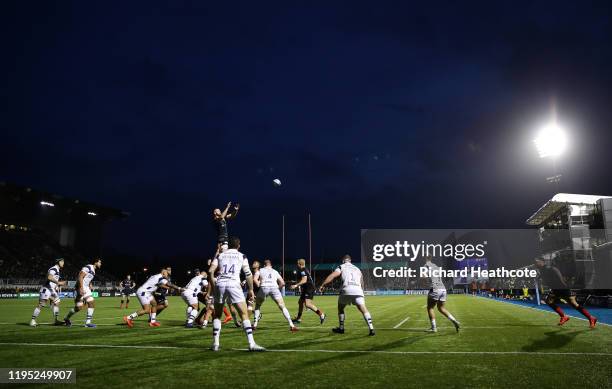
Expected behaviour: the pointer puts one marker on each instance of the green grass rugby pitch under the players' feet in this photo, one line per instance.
(500, 346)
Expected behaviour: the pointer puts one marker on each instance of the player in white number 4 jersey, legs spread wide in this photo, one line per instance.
(270, 282)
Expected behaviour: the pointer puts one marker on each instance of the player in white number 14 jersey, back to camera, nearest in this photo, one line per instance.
(226, 288)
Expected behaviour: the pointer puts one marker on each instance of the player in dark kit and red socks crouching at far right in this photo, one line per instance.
(553, 278)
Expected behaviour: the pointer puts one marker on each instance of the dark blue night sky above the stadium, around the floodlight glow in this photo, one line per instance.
(374, 115)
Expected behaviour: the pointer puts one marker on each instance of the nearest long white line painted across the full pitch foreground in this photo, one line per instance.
(315, 351)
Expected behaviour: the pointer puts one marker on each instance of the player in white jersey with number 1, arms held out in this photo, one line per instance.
(350, 293)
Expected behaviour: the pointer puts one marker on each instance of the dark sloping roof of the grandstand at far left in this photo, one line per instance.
(22, 193)
